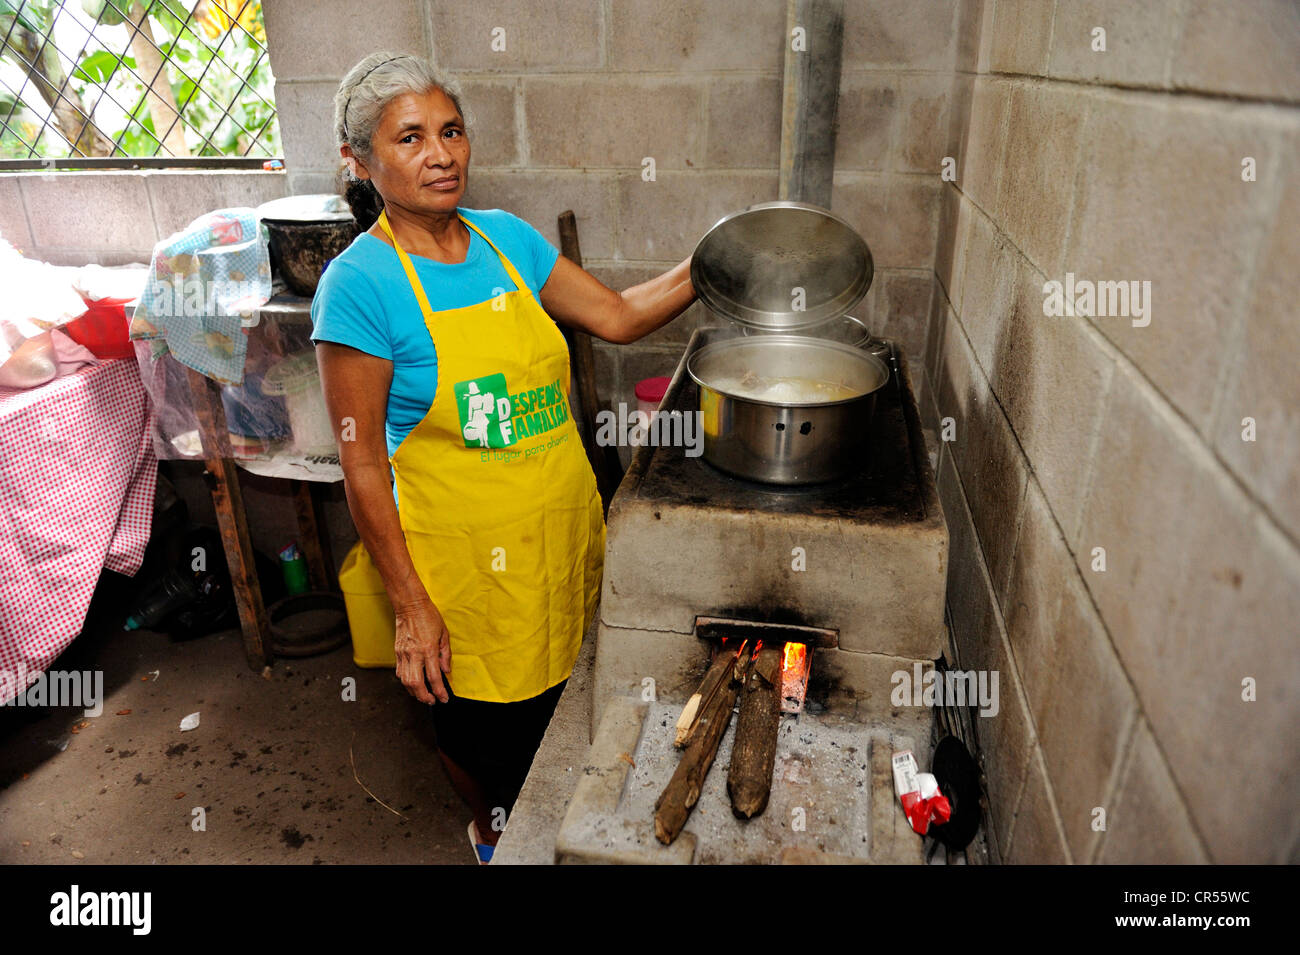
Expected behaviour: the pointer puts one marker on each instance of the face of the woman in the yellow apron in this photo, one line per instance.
(419, 154)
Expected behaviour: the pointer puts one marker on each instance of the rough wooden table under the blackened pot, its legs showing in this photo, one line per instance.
(223, 481)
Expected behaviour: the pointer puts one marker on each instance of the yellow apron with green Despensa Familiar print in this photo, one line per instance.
(497, 501)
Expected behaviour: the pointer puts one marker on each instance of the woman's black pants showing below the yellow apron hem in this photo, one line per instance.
(495, 743)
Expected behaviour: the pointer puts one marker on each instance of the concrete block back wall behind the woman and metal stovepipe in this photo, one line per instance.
(586, 90)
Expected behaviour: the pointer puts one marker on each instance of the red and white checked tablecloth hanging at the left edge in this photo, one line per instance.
(77, 477)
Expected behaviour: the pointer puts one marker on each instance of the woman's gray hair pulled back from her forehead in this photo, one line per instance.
(378, 80)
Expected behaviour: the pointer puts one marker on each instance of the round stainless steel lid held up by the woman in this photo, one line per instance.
(756, 266)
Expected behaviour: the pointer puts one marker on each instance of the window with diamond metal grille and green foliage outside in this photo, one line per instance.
(136, 83)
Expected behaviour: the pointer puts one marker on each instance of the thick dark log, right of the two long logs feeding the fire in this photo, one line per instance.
(749, 779)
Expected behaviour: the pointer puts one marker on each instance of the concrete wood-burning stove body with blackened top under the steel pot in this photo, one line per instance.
(860, 562)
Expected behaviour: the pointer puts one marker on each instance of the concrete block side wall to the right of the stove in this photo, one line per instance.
(1123, 689)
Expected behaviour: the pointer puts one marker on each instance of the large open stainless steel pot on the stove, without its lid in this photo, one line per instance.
(786, 410)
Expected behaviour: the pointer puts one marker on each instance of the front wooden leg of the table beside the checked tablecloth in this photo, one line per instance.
(232, 520)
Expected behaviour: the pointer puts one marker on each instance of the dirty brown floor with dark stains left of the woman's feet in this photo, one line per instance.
(270, 762)
